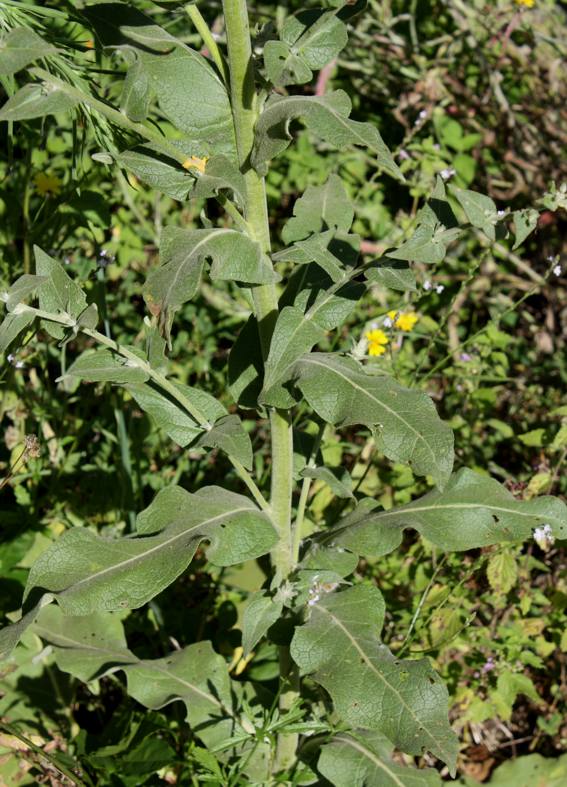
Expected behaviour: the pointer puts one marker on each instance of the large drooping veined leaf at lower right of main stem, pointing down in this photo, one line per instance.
(404, 700)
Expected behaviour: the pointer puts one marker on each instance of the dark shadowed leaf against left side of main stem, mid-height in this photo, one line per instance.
(245, 366)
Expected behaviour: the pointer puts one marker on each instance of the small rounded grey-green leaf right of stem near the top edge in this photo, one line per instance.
(309, 40)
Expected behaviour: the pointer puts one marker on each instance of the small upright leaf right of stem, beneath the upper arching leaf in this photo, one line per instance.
(321, 208)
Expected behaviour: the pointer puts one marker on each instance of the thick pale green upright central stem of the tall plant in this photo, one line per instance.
(245, 111)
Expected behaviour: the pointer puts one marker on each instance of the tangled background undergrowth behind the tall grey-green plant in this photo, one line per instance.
(474, 91)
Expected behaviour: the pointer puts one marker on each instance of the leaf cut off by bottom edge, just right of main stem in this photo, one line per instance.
(363, 758)
